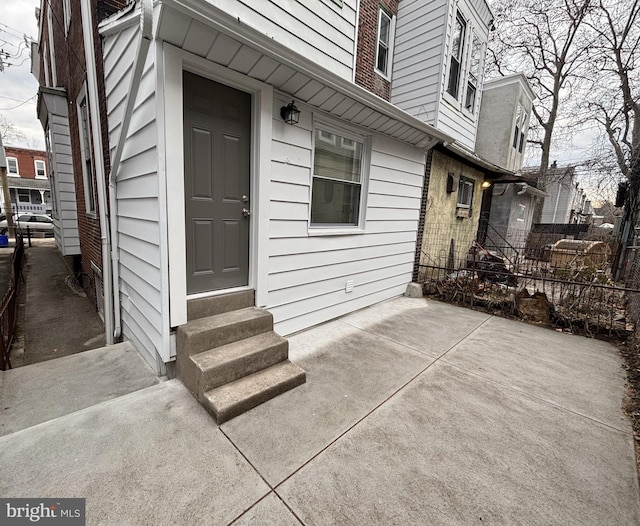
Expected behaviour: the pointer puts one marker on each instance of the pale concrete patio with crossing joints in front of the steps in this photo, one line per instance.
(414, 412)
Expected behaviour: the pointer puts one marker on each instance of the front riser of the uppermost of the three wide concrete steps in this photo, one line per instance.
(190, 343)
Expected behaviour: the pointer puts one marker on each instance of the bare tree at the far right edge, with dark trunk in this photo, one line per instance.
(615, 97)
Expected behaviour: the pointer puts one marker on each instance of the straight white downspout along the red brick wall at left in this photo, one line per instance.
(96, 131)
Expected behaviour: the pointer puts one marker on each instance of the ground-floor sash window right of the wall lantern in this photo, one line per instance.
(336, 192)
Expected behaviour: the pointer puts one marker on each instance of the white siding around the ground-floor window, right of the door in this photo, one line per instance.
(308, 274)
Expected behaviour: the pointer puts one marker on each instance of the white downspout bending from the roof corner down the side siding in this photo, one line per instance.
(146, 16)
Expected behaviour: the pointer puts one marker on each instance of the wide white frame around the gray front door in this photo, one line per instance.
(170, 151)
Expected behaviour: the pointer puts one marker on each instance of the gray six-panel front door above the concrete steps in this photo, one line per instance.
(217, 149)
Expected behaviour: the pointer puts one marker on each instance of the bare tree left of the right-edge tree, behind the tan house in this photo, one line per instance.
(546, 40)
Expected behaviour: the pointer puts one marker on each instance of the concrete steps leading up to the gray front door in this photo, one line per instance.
(230, 358)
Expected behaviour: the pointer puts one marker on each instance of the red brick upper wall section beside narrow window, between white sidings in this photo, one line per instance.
(366, 75)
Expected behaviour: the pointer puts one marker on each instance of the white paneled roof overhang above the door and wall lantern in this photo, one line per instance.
(288, 71)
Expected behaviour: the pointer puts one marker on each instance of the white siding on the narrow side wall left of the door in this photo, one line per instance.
(138, 211)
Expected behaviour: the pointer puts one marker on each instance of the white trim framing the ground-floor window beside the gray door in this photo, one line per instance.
(365, 163)
